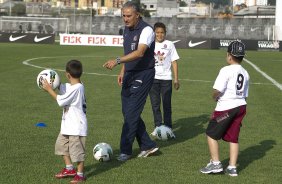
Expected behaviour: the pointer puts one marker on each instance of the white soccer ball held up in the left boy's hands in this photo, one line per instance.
(52, 77)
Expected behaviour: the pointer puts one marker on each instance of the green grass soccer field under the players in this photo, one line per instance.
(27, 151)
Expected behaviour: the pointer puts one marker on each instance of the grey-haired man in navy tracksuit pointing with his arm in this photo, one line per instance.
(136, 77)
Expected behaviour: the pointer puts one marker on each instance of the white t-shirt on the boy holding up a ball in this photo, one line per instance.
(72, 99)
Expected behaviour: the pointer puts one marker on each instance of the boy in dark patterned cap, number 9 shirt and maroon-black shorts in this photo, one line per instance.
(230, 92)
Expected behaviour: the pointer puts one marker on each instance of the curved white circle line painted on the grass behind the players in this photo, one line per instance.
(27, 62)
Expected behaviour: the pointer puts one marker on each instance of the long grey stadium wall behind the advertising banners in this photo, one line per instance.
(210, 28)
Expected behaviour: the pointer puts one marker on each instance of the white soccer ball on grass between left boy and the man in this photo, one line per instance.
(102, 152)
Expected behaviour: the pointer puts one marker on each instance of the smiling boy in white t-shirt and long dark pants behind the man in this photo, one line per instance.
(166, 58)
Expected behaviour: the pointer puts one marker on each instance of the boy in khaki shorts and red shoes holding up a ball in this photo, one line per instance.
(71, 140)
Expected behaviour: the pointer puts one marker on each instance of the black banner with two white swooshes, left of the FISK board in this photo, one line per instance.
(27, 38)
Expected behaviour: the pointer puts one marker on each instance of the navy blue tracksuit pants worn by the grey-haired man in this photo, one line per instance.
(135, 89)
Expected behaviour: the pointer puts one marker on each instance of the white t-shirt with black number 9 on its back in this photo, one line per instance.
(233, 83)
